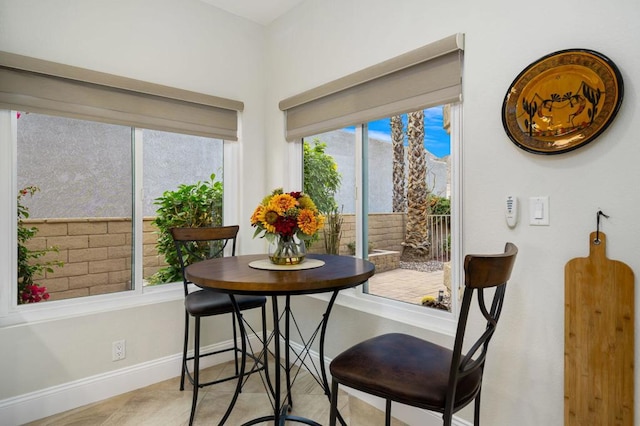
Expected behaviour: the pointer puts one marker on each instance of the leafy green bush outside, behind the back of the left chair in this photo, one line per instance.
(189, 206)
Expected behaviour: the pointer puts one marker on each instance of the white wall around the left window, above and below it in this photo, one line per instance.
(180, 43)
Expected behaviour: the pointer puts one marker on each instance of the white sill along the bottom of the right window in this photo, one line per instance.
(417, 316)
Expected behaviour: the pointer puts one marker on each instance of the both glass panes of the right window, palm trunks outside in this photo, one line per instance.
(406, 196)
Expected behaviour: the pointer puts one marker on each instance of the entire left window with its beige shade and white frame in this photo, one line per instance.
(85, 147)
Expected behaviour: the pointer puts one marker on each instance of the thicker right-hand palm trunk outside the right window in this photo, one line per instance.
(416, 244)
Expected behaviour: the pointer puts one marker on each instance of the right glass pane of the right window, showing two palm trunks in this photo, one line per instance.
(407, 178)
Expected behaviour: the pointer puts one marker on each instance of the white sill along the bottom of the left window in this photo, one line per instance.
(48, 311)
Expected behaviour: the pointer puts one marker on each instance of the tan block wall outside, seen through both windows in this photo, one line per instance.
(96, 252)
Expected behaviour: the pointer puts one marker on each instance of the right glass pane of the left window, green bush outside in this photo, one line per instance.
(177, 168)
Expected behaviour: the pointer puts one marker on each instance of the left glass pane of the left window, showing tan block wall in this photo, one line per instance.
(80, 207)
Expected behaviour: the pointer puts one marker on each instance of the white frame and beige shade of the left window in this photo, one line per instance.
(117, 100)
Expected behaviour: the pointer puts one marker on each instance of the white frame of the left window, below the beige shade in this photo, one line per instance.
(13, 314)
